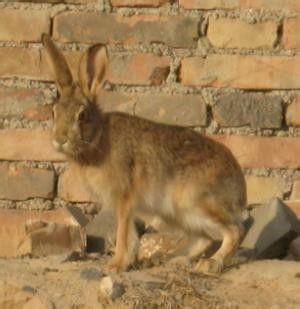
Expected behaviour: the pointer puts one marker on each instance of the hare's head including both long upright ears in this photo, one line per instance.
(77, 120)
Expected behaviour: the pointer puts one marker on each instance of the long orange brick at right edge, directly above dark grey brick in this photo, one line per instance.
(245, 72)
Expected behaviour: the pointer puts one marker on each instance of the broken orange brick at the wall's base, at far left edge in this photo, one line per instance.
(38, 233)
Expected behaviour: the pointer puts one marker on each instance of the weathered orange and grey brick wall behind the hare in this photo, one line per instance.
(230, 69)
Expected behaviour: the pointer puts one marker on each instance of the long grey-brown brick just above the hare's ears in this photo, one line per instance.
(175, 31)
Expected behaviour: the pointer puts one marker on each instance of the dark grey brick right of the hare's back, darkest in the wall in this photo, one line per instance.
(256, 110)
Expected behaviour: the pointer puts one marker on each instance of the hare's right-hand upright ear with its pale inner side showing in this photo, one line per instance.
(93, 69)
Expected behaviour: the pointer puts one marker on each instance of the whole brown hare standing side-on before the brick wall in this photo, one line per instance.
(134, 164)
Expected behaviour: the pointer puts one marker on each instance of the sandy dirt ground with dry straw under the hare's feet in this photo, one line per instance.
(54, 283)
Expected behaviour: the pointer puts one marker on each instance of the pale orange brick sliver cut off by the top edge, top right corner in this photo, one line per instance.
(232, 4)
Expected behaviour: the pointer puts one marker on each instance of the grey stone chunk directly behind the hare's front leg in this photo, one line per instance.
(101, 231)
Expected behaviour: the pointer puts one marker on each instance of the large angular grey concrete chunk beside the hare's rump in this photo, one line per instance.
(273, 227)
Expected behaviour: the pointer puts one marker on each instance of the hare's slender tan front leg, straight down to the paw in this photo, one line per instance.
(126, 240)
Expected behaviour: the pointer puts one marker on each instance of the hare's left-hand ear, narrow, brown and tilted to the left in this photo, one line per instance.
(60, 67)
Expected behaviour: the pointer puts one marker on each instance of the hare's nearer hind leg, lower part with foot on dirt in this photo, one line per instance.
(232, 235)
